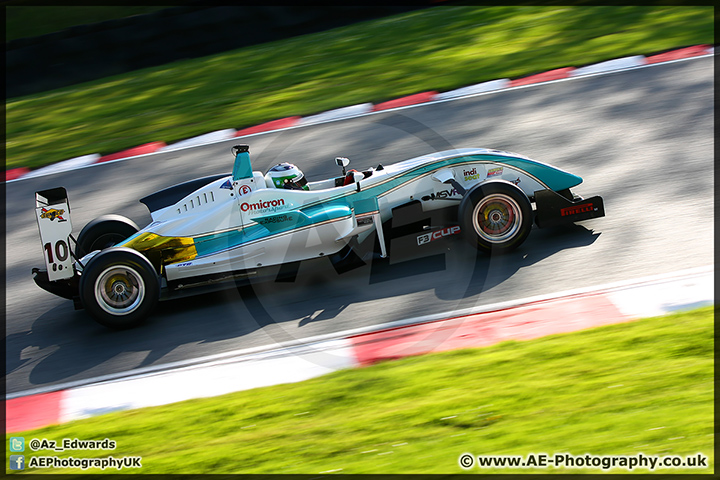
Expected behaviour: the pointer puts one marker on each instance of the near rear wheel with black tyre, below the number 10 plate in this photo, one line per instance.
(119, 288)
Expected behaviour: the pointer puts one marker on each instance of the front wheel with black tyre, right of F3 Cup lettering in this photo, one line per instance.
(495, 217)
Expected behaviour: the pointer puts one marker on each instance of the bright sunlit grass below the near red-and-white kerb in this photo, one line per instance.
(644, 386)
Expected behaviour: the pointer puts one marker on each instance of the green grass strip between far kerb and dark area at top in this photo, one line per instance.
(434, 49)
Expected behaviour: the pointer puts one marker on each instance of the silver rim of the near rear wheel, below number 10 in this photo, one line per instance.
(119, 290)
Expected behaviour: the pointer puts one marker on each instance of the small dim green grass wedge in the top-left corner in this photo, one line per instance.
(30, 21)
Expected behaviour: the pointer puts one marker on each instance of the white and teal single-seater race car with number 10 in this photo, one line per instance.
(217, 231)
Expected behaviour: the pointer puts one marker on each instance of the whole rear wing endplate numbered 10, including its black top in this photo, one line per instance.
(52, 211)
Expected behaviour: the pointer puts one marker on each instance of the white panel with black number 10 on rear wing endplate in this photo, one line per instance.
(55, 230)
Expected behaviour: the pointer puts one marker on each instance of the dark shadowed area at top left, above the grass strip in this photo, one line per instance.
(56, 38)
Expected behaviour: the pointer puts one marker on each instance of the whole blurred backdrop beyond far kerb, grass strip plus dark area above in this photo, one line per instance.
(103, 79)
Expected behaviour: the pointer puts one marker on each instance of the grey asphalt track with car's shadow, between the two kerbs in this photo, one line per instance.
(641, 138)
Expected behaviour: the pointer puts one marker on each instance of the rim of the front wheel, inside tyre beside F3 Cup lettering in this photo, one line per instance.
(497, 218)
